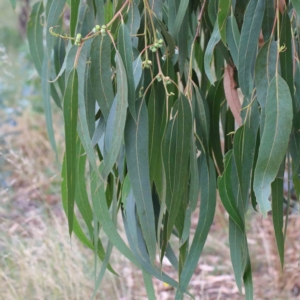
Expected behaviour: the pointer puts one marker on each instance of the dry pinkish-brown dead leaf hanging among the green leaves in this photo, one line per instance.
(231, 94)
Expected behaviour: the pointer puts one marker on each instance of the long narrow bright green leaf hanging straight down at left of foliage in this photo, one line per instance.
(70, 117)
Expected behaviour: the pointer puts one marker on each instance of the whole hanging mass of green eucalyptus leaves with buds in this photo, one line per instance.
(166, 102)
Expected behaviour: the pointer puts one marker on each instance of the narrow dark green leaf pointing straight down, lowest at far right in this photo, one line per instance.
(277, 213)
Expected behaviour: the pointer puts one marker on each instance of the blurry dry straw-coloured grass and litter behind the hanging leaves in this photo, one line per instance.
(38, 261)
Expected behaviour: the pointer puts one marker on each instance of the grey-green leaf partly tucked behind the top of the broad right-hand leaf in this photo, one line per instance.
(265, 69)
